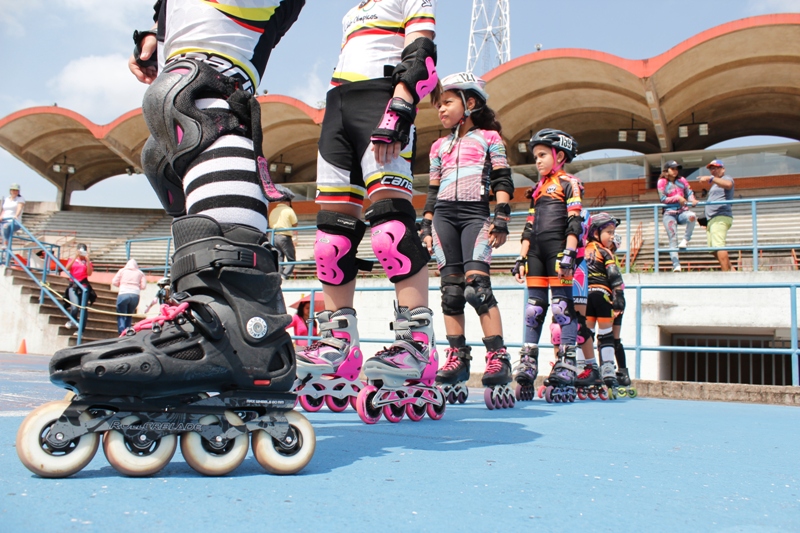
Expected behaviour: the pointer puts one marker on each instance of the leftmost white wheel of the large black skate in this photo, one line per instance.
(43, 460)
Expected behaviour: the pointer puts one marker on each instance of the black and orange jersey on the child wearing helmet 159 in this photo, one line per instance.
(553, 197)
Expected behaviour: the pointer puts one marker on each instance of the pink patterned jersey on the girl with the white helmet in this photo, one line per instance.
(463, 165)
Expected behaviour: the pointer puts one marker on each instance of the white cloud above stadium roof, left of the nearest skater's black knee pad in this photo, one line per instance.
(98, 87)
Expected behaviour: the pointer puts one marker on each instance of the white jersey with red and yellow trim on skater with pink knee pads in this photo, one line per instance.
(374, 36)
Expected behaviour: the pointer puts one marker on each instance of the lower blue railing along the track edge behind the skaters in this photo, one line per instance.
(793, 351)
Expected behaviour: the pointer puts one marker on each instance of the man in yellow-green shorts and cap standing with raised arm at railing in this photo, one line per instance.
(719, 218)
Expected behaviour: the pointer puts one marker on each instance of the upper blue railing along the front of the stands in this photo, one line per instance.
(625, 250)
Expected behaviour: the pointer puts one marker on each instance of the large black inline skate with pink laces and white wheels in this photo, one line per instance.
(224, 333)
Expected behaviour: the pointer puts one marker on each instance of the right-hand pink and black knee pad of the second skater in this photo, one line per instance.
(395, 240)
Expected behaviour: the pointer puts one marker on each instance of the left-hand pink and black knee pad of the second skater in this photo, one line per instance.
(338, 237)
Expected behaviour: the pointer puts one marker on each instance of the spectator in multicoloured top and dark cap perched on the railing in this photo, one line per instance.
(675, 191)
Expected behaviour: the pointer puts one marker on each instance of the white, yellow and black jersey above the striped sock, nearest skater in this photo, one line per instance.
(235, 37)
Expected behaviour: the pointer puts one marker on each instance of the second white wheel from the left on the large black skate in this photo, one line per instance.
(130, 458)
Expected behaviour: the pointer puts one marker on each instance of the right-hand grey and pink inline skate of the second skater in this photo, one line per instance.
(401, 377)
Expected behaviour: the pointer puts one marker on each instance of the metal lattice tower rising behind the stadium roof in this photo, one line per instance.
(489, 36)
